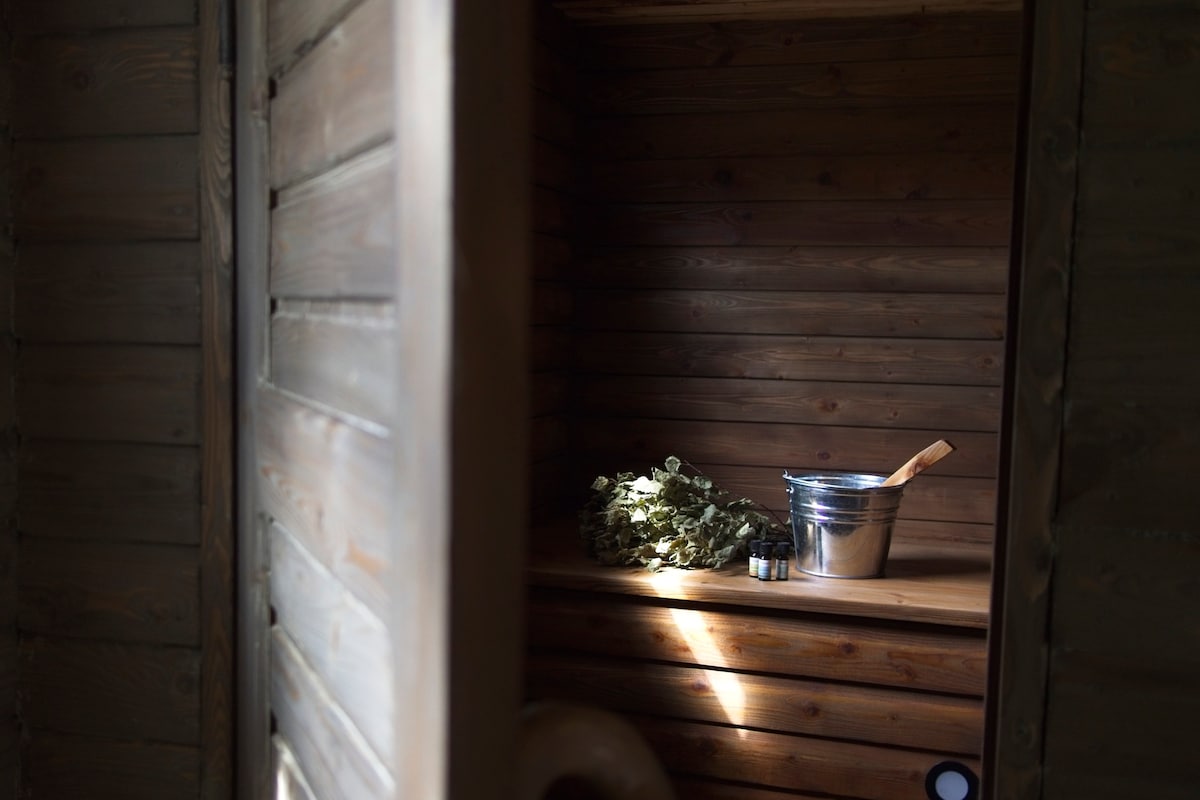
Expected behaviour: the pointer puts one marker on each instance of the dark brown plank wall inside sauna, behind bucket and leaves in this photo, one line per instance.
(775, 245)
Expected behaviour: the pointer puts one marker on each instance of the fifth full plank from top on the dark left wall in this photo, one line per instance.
(110, 492)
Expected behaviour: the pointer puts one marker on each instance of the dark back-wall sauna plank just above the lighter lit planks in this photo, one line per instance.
(922, 224)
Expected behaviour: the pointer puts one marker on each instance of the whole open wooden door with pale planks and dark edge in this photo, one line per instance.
(382, 315)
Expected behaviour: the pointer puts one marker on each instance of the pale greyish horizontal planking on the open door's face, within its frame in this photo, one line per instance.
(325, 407)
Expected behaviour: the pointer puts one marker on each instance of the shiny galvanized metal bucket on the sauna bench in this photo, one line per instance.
(842, 525)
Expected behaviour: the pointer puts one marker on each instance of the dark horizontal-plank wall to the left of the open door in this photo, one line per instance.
(121, 297)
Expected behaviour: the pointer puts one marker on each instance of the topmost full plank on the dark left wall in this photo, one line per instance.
(128, 82)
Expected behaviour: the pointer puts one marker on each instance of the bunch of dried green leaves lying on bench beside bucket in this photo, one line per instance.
(669, 519)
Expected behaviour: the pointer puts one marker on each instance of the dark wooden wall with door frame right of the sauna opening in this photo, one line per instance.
(1101, 646)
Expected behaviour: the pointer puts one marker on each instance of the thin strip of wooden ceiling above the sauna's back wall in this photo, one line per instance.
(625, 13)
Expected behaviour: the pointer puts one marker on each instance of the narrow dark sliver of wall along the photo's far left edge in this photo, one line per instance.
(9, 727)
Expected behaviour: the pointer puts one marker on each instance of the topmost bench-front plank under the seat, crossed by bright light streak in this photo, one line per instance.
(945, 660)
